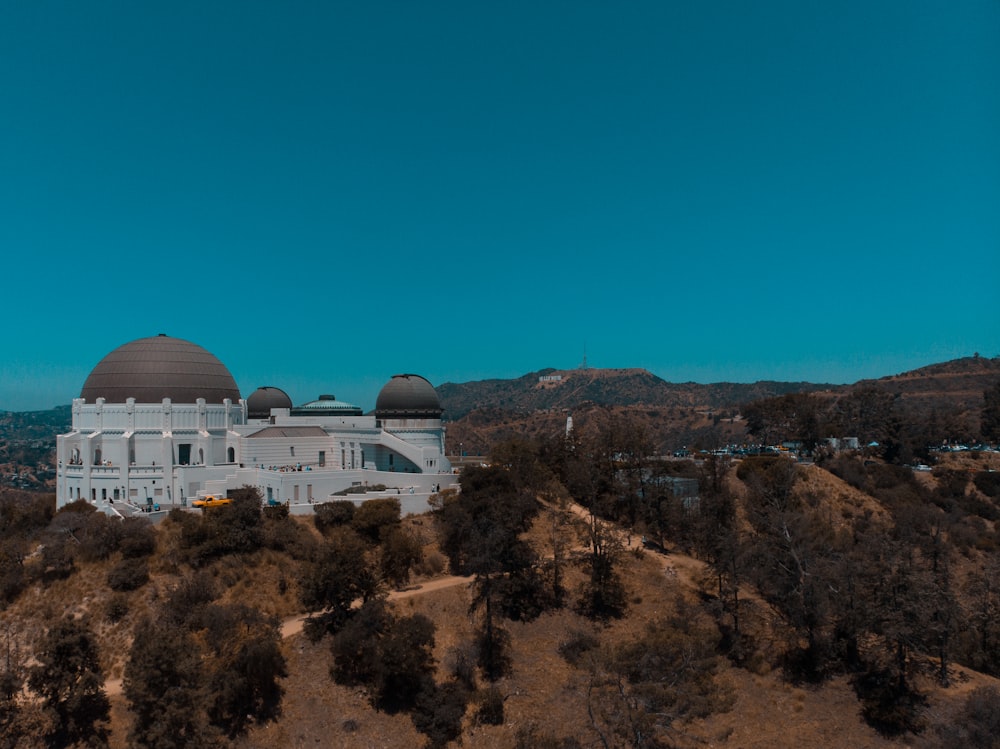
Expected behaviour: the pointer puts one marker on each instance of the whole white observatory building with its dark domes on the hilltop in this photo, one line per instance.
(160, 422)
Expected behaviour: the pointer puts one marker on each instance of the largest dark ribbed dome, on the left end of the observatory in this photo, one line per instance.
(151, 369)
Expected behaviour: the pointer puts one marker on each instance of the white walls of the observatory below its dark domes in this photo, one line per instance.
(165, 454)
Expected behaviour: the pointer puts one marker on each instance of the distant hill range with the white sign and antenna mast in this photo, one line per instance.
(934, 403)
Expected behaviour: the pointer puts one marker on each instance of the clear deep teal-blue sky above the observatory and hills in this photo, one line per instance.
(326, 194)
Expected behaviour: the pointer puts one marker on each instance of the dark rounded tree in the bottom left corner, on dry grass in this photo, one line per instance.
(69, 681)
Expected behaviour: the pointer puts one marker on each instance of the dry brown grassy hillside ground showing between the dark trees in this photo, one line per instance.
(551, 692)
